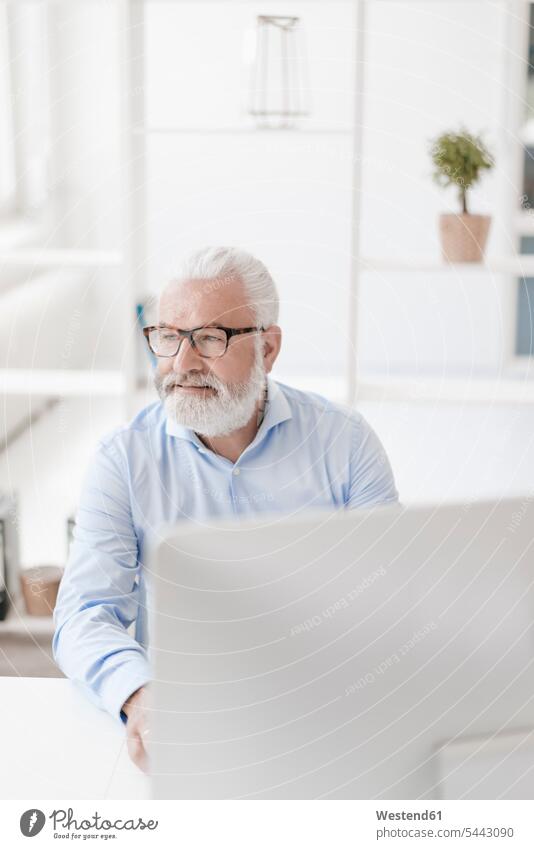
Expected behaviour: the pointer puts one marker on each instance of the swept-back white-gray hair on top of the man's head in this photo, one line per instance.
(219, 263)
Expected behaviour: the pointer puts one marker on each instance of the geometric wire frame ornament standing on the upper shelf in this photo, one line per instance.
(279, 79)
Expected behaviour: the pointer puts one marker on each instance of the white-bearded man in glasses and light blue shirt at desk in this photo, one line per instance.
(225, 439)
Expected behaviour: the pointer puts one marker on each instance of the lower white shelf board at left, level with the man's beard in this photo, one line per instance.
(62, 382)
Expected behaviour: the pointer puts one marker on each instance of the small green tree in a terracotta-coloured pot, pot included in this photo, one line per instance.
(459, 160)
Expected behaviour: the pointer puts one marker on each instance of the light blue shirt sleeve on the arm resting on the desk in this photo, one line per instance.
(99, 595)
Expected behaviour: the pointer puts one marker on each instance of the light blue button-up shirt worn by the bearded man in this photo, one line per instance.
(307, 453)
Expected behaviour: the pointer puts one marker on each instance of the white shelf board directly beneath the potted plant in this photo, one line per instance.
(521, 265)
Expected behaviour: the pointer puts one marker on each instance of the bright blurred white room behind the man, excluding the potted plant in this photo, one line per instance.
(133, 132)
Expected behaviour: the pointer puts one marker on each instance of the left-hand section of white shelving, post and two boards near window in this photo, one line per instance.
(126, 259)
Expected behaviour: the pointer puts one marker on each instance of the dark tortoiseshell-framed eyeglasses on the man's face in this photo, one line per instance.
(208, 342)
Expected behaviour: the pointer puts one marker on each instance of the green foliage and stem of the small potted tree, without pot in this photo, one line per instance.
(459, 159)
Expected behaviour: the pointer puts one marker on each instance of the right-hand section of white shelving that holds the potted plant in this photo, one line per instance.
(501, 388)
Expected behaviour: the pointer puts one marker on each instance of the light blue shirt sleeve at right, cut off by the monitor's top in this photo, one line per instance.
(371, 476)
